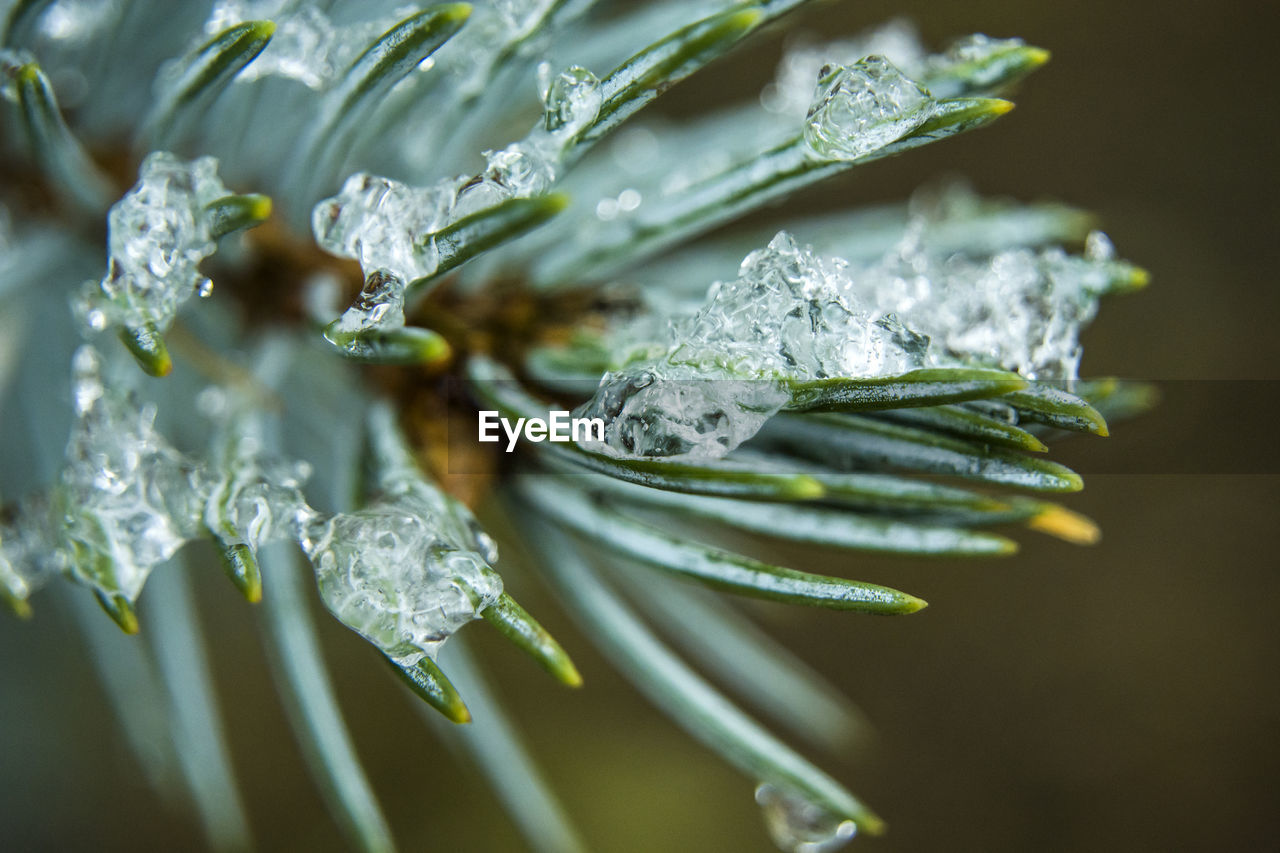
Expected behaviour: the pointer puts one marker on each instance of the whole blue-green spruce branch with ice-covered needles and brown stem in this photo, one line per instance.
(518, 229)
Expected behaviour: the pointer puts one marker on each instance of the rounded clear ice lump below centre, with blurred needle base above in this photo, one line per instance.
(409, 571)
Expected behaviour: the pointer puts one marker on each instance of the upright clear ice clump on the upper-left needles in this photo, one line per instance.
(158, 235)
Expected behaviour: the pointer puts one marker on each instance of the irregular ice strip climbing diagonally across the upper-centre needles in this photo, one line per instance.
(392, 229)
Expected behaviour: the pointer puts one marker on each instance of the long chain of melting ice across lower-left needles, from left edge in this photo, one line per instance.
(406, 572)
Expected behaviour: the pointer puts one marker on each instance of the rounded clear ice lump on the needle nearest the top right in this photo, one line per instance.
(862, 108)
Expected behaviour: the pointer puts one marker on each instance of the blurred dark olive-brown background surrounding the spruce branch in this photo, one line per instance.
(1123, 697)
